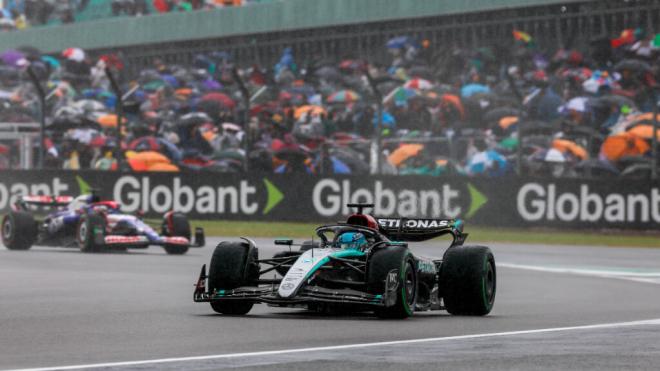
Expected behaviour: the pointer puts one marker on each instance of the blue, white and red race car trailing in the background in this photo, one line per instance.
(92, 225)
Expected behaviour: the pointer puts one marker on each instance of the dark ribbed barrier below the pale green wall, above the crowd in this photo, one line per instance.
(569, 25)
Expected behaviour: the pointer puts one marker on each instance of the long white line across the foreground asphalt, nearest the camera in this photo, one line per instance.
(652, 322)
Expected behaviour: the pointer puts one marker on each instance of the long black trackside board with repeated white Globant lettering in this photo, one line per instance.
(515, 202)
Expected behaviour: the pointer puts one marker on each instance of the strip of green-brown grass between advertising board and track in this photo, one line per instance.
(477, 234)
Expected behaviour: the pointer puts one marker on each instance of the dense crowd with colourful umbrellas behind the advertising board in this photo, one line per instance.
(487, 111)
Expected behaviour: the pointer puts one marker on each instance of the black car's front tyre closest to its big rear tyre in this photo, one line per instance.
(380, 264)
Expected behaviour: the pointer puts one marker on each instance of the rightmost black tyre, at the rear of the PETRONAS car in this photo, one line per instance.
(468, 280)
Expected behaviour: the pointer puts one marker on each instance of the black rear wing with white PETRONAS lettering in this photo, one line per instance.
(416, 229)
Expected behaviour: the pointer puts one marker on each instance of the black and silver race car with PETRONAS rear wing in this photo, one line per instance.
(361, 265)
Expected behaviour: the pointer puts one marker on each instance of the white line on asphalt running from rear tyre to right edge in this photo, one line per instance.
(645, 277)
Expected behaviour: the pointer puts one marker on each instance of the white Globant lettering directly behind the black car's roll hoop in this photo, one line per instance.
(331, 196)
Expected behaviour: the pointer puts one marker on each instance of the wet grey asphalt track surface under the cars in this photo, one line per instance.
(59, 307)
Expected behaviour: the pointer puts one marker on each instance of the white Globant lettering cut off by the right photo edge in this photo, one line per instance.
(536, 202)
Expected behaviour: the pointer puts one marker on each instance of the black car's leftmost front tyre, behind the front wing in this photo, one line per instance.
(233, 265)
